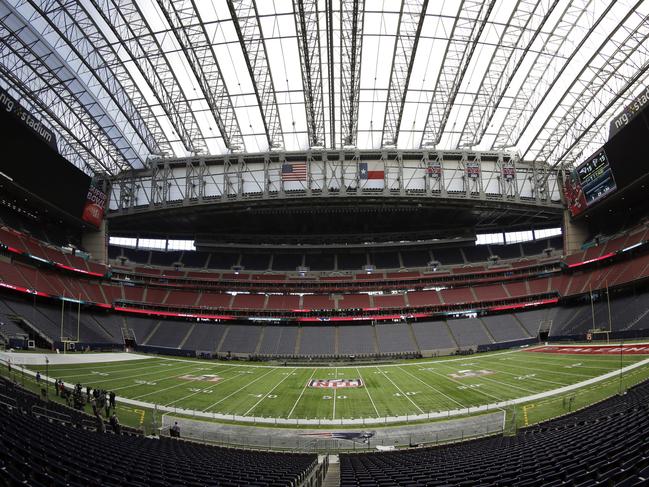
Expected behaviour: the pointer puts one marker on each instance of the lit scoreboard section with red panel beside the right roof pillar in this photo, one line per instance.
(589, 183)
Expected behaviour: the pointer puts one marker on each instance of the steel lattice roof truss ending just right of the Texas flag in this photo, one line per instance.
(411, 21)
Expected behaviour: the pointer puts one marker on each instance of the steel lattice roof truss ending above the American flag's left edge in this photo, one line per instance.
(248, 27)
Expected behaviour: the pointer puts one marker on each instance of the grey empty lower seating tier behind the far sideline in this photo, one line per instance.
(104, 328)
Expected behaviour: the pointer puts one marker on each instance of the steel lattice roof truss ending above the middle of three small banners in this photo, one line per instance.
(523, 27)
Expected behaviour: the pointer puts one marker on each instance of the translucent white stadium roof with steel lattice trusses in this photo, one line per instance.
(124, 81)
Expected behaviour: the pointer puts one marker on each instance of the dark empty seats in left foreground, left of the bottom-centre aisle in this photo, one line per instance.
(38, 452)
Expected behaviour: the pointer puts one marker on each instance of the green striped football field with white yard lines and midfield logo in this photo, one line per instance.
(409, 388)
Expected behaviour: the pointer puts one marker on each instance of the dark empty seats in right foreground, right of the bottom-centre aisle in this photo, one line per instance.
(606, 444)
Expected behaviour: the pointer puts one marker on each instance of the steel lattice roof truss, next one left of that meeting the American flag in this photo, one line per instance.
(188, 27)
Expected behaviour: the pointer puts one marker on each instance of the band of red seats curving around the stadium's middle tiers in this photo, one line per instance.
(617, 262)
